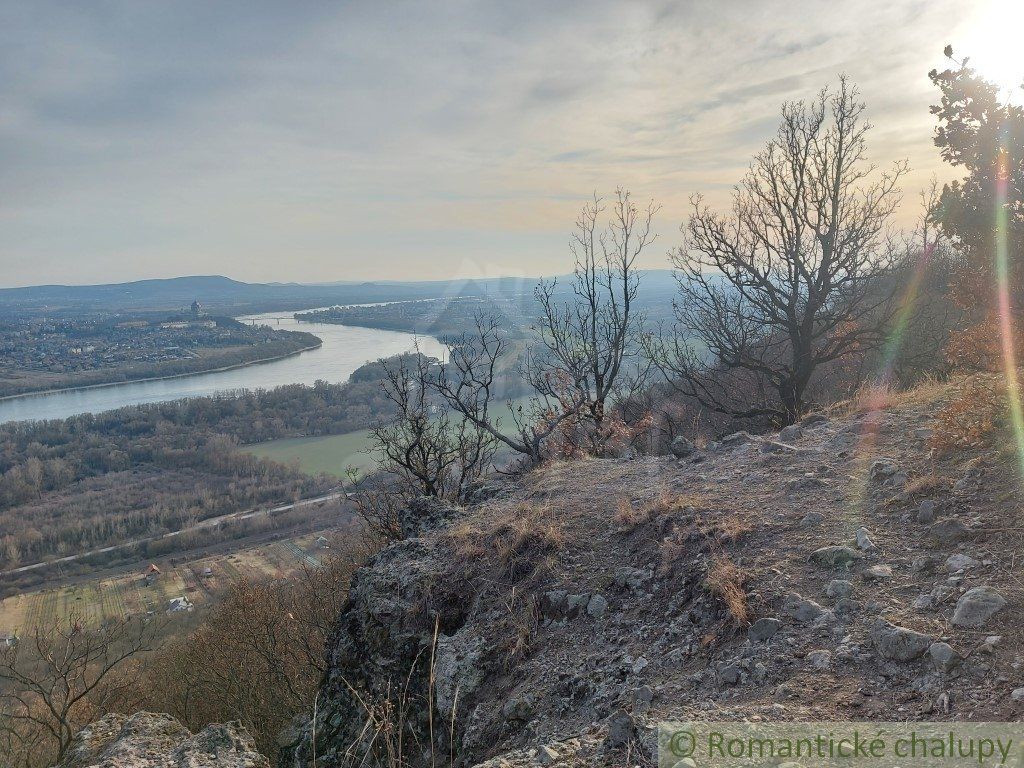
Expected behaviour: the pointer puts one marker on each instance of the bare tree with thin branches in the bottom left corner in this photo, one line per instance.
(62, 676)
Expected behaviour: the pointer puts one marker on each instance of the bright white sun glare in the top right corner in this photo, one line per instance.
(995, 42)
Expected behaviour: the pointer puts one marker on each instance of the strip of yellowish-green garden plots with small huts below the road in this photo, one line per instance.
(129, 594)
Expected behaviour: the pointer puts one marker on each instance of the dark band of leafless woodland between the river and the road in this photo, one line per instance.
(92, 481)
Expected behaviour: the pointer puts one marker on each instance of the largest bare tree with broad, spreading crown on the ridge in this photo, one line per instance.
(800, 274)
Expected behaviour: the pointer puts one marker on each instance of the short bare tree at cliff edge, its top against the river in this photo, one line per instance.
(430, 449)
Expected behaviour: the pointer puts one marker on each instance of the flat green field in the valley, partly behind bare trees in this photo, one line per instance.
(334, 454)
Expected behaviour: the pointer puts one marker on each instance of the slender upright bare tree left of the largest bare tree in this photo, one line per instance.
(593, 338)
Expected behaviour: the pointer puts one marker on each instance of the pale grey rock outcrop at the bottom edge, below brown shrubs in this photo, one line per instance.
(150, 741)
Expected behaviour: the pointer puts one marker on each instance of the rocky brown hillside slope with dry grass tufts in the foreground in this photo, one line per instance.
(839, 571)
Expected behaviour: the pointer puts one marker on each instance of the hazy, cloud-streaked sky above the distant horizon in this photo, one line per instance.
(321, 142)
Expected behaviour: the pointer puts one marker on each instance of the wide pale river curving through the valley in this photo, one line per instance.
(345, 350)
